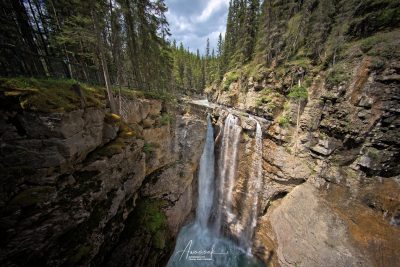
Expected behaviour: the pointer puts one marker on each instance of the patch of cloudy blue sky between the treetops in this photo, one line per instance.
(193, 21)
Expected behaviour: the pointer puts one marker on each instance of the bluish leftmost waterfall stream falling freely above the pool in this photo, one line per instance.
(206, 178)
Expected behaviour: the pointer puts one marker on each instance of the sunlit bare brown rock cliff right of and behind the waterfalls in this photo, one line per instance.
(330, 194)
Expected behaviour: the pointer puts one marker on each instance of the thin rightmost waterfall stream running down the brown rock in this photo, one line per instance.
(246, 238)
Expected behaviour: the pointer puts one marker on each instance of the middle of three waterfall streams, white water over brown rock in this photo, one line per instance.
(227, 166)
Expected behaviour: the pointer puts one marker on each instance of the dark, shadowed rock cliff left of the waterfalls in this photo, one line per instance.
(83, 186)
